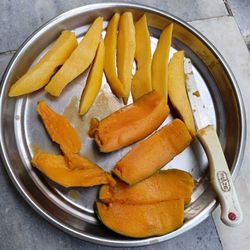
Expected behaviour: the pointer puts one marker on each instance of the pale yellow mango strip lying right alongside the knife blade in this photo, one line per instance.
(177, 90)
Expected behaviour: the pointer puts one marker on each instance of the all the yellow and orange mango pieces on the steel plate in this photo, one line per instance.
(139, 199)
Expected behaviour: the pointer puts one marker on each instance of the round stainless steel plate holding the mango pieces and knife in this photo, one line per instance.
(22, 133)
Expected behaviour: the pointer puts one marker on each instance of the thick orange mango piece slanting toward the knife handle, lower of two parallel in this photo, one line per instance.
(153, 153)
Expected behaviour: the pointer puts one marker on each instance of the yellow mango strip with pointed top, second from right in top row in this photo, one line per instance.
(160, 62)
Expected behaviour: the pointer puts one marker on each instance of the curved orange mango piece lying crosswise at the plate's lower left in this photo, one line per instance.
(56, 168)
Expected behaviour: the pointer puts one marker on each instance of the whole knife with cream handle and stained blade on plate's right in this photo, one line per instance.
(220, 176)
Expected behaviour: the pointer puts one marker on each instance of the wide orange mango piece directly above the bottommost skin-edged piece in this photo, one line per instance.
(172, 184)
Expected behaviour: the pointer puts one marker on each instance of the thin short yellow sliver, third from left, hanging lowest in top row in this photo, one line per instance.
(94, 81)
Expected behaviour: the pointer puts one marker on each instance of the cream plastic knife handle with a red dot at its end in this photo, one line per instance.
(220, 177)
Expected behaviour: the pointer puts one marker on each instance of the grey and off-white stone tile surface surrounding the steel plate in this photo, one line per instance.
(21, 226)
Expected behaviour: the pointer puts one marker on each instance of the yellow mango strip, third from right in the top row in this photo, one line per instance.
(141, 83)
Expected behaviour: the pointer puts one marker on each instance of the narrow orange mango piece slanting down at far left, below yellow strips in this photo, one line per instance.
(59, 129)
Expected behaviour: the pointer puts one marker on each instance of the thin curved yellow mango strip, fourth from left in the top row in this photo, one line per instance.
(110, 42)
